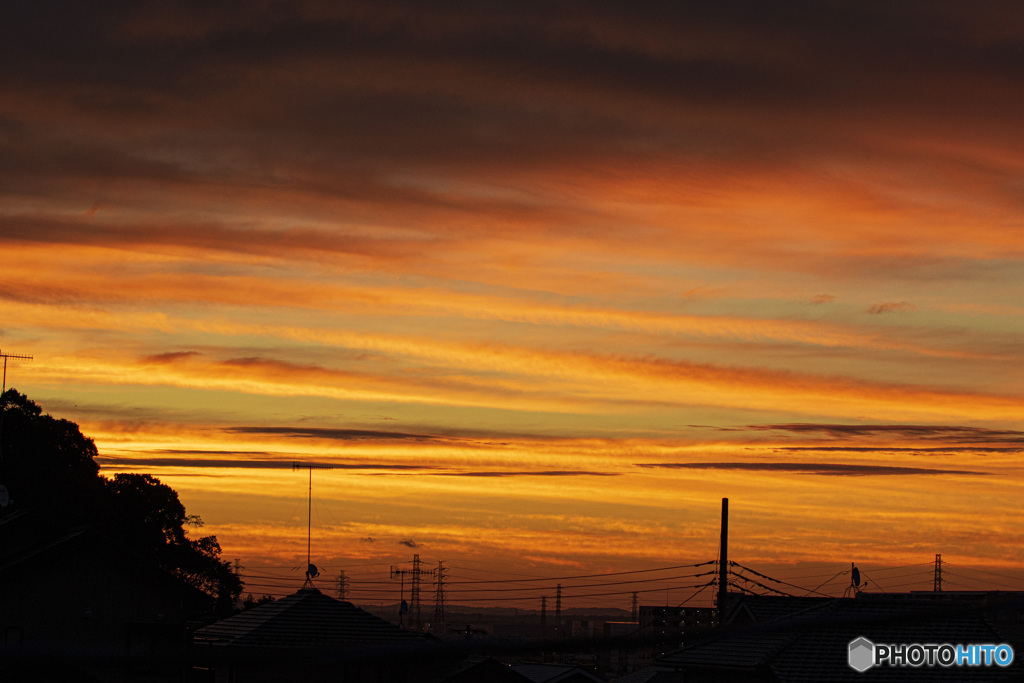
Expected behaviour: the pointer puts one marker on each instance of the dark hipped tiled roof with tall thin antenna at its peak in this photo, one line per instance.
(305, 620)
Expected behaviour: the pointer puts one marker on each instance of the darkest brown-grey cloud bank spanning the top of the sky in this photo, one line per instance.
(517, 82)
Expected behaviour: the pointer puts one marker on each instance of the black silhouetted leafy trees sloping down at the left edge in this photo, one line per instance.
(50, 466)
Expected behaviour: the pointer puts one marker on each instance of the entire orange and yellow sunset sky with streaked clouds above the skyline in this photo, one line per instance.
(544, 282)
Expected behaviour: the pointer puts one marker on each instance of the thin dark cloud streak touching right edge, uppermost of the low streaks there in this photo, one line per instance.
(951, 435)
